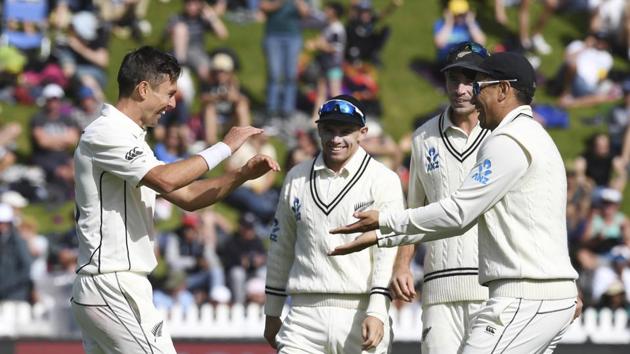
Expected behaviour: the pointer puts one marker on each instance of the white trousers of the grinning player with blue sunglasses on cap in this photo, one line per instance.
(327, 330)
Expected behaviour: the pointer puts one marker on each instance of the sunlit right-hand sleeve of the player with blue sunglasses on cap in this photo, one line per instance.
(388, 196)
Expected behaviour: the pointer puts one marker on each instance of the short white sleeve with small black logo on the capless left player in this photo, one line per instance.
(123, 156)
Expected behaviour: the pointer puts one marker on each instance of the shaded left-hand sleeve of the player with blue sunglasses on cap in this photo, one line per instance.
(281, 253)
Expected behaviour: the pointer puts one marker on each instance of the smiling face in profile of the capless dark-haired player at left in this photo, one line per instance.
(157, 100)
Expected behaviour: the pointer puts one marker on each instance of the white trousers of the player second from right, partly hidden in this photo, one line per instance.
(445, 326)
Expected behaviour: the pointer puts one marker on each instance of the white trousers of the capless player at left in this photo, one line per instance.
(116, 314)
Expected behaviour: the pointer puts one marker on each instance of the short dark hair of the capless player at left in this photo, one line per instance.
(145, 64)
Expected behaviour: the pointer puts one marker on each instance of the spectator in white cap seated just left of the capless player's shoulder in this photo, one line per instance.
(54, 135)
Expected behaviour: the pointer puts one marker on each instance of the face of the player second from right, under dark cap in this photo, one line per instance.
(459, 90)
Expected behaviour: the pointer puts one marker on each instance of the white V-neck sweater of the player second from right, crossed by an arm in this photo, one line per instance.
(442, 155)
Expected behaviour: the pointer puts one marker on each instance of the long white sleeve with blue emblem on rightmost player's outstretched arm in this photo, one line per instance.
(500, 164)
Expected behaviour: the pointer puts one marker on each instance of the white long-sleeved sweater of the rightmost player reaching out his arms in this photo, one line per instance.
(518, 190)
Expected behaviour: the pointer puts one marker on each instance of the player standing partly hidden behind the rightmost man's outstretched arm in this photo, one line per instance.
(444, 150)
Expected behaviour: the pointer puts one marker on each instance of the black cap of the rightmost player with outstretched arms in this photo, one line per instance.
(510, 66)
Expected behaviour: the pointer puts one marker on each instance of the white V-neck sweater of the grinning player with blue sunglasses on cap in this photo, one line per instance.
(313, 201)
